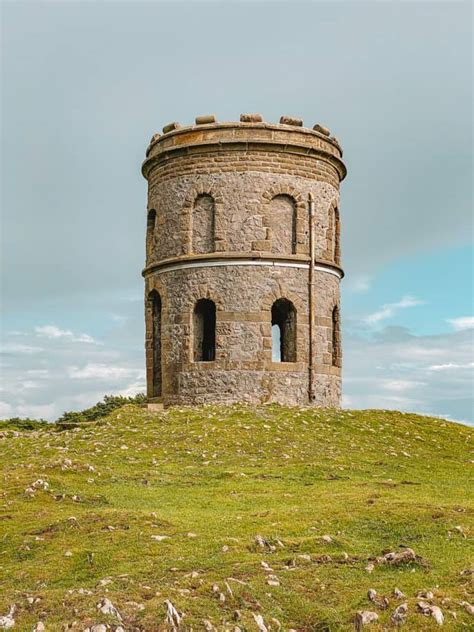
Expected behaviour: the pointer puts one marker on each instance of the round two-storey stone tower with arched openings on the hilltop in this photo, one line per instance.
(243, 263)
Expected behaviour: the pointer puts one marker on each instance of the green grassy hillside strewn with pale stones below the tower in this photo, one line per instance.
(373, 480)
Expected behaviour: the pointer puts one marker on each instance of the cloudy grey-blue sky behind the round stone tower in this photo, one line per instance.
(86, 84)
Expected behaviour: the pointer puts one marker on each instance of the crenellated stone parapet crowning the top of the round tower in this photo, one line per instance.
(252, 131)
